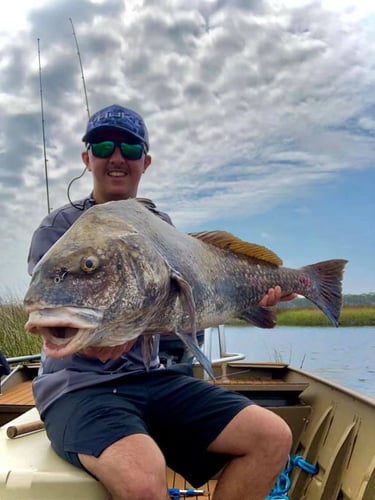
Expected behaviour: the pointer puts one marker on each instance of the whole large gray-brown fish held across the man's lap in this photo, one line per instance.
(120, 272)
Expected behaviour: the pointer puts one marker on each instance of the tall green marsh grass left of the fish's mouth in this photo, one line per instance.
(14, 341)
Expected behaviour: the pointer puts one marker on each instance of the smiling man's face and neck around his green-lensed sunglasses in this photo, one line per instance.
(115, 177)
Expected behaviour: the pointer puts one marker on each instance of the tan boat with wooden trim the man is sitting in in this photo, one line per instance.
(332, 427)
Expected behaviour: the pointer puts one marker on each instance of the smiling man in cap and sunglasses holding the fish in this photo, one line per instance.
(123, 424)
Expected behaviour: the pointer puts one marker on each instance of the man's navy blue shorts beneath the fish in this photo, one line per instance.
(181, 413)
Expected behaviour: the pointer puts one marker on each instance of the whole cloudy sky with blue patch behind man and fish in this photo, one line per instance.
(261, 116)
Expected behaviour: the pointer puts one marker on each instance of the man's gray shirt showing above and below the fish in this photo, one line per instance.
(59, 376)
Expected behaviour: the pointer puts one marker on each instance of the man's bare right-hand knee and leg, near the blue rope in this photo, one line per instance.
(260, 442)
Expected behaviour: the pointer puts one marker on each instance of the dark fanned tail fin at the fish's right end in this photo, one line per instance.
(326, 291)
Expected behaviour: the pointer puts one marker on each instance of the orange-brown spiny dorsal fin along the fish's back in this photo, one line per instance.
(228, 241)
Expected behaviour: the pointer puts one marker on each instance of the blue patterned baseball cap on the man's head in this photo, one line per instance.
(116, 116)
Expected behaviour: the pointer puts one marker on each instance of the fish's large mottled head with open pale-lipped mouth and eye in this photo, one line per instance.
(95, 288)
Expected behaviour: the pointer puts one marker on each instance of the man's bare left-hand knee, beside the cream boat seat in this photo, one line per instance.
(132, 468)
